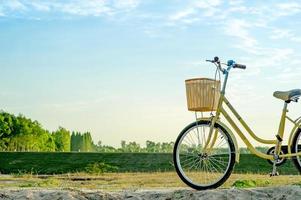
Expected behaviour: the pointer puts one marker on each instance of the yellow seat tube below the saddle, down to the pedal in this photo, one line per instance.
(279, 137)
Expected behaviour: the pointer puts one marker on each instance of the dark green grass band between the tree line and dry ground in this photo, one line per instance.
(59, 163)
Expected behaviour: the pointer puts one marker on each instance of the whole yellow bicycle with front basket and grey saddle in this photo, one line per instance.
(206, 150)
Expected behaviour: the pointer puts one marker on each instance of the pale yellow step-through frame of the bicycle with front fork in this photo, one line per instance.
(277, 142)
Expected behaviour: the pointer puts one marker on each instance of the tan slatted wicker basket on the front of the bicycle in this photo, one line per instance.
(202, 94)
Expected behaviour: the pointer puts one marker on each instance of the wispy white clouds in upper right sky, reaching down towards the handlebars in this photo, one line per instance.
(242, 23)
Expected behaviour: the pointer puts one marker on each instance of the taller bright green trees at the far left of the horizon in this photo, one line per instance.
(18, 133)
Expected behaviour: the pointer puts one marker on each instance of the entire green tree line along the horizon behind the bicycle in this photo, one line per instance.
(18, 133)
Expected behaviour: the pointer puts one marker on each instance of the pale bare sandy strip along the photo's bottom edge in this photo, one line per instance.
(284, 192)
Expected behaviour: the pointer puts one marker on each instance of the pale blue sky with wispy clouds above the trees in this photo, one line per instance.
(117, 68)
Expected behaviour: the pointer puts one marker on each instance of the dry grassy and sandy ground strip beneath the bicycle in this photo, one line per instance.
(161, 185)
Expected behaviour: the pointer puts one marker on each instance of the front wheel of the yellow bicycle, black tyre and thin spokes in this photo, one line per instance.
(203, 166)
